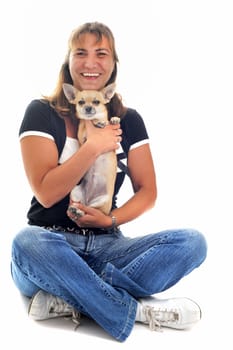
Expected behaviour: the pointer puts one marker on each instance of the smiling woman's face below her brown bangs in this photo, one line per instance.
(91, 63)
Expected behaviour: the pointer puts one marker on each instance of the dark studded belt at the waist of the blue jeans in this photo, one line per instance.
(79, 231)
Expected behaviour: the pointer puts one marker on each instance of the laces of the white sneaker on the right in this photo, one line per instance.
(156, 317)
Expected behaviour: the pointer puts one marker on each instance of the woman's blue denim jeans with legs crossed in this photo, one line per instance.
(102, 276)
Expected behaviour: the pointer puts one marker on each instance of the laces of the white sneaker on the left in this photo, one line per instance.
(60, 307)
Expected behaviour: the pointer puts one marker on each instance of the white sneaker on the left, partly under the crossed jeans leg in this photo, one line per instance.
(44, 306)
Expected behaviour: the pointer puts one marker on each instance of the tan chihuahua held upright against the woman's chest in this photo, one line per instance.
(97, 186)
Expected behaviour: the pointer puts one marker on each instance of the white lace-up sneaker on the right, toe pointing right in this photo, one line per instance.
(178, 313)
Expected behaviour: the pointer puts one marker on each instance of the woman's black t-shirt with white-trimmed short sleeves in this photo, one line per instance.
(41, 119)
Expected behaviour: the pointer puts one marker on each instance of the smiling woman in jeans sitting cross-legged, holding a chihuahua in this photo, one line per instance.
(71, 265)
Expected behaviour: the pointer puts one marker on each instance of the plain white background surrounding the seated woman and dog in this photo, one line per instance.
(176, 69)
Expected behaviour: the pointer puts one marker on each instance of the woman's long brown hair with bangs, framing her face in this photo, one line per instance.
(58, 100)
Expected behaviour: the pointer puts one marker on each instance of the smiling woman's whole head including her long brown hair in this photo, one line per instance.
(91, 61)
